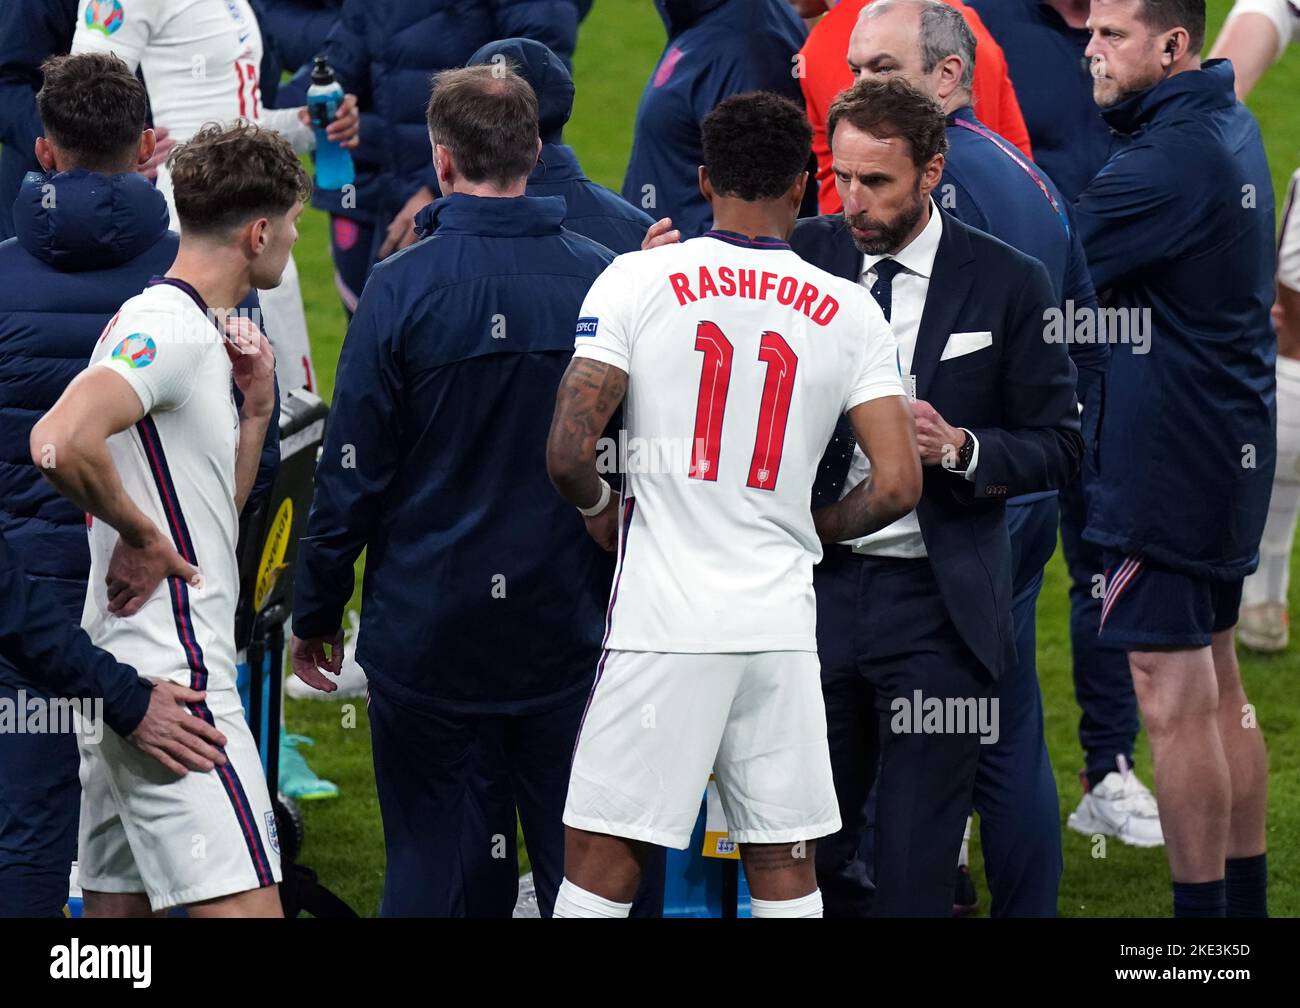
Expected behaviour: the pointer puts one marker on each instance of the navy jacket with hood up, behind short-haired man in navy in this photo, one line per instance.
(593, 211)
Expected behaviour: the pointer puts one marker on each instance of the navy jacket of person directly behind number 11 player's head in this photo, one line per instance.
(716, 49)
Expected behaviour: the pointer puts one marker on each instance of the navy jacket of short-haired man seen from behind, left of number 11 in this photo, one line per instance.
(483, 591)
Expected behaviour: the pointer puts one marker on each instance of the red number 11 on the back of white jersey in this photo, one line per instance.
(773, 416)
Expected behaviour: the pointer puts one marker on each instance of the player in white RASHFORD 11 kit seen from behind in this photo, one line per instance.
(736, 348)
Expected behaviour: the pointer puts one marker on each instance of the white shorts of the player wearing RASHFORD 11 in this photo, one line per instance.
(657, 724)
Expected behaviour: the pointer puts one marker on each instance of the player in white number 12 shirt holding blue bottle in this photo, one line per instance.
(201, 62)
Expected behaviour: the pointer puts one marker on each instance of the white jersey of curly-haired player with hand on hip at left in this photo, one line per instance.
(179, 466)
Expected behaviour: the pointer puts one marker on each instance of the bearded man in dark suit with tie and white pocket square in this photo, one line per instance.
(915, 622)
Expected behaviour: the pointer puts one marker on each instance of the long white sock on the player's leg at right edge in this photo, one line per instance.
(1269, 583)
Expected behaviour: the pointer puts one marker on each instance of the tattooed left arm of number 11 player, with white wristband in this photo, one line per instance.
(590, 393)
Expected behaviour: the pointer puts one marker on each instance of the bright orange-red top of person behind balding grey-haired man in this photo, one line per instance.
(826, 73)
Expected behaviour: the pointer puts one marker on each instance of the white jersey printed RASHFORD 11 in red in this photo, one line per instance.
(740, 361)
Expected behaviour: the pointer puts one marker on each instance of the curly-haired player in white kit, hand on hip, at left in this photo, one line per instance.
(150, 443)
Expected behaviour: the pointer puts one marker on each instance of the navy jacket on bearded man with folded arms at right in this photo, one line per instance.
(1180, 223)
